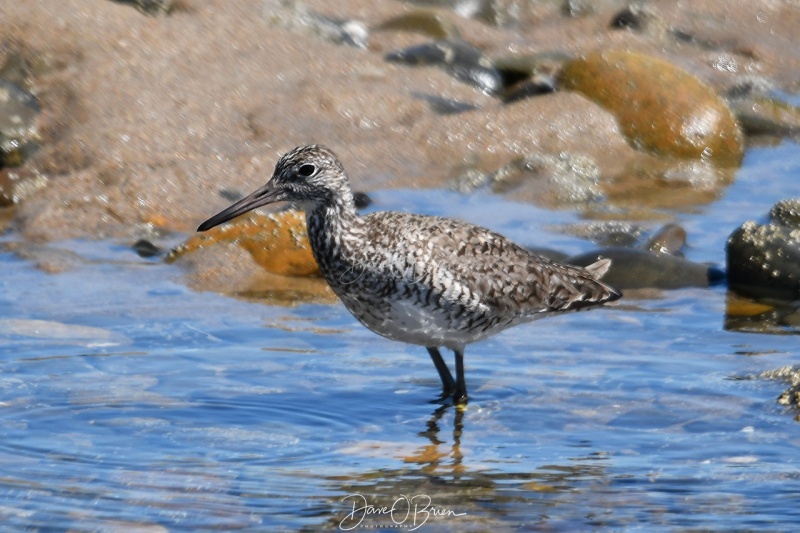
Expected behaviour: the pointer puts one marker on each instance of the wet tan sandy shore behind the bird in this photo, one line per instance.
(146, 119)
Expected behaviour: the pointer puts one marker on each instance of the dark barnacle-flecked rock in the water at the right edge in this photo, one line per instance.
(764, 259)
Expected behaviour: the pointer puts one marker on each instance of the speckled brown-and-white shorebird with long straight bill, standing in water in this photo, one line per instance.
(423, 280)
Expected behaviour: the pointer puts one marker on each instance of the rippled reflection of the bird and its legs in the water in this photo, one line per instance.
(456, 489)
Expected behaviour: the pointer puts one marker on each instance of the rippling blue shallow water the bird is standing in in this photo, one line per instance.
(129, 401)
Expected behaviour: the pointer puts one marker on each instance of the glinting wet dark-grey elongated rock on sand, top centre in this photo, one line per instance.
(459, 58)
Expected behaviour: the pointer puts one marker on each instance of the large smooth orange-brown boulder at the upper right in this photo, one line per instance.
(661, 108)
